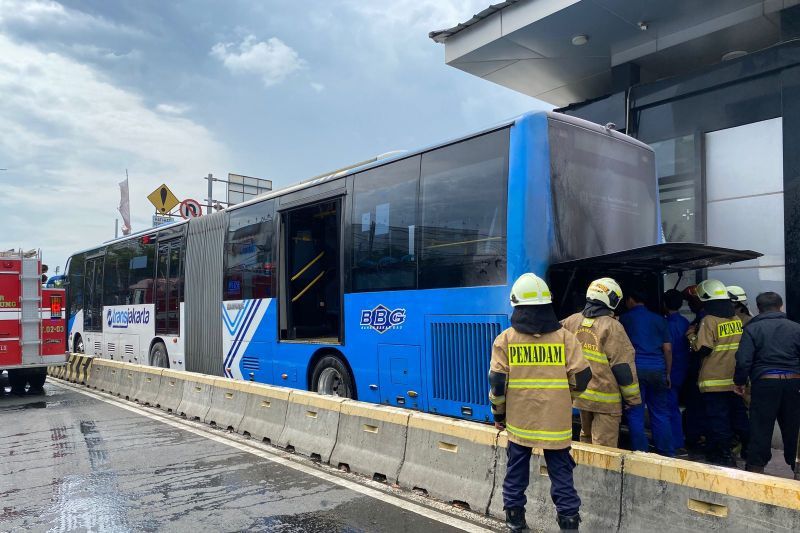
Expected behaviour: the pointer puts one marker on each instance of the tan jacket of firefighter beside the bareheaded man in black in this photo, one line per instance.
(722, 336)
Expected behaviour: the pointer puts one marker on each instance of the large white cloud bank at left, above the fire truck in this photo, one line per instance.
(68, 136)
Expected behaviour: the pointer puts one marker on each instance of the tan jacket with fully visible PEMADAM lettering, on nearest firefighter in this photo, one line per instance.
(540, 373)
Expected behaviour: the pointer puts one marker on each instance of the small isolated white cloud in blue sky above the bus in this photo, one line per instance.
(272, 59)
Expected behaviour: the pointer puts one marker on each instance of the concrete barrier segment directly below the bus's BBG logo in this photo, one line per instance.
(371, 439)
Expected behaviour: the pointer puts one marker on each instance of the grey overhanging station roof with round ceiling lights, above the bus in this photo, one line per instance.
(534, 46)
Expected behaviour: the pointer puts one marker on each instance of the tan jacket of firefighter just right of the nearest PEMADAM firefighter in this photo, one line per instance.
(605, 344)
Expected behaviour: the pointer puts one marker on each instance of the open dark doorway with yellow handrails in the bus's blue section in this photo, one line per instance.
(311, 302)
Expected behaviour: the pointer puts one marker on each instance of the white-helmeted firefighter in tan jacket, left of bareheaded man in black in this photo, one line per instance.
(715, 343)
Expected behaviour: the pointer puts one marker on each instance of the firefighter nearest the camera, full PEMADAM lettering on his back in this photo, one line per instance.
(536, 366)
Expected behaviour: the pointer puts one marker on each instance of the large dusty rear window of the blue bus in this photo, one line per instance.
(603, 193)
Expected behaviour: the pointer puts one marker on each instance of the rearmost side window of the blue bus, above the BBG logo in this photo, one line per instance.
(464, 200)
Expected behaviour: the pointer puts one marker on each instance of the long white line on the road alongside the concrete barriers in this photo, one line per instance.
(275, 458)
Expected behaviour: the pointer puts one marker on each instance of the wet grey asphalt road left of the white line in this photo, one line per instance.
(69, 462)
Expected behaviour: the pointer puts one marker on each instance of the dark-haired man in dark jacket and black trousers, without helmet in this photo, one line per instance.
(769, 354)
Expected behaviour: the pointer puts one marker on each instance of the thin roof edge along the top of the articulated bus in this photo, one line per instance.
(378, 161)
